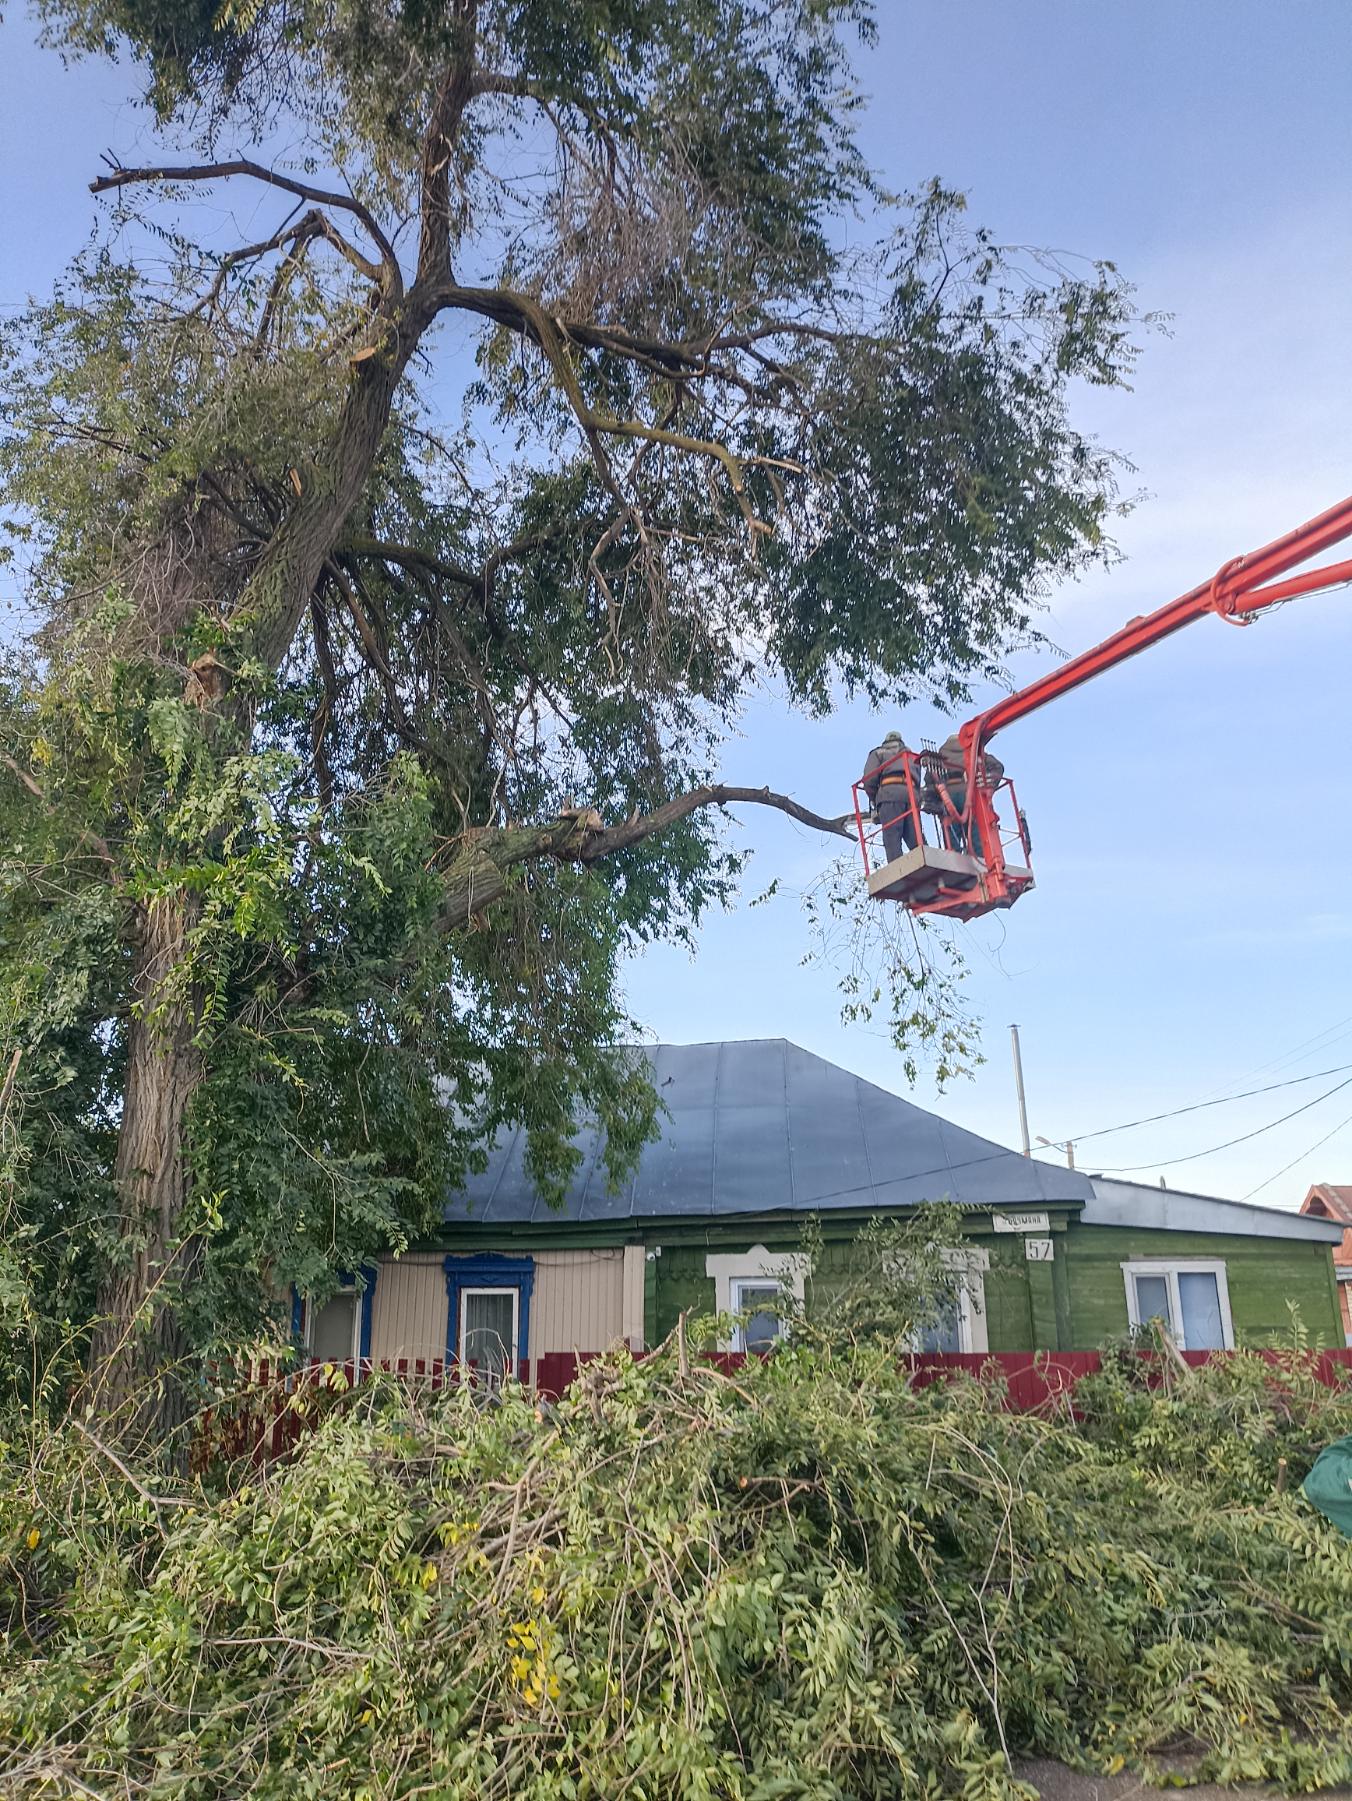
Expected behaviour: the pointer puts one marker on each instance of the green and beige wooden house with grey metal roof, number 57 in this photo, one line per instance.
(757, 1137)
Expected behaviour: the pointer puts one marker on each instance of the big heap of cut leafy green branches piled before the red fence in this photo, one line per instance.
(804, 1580)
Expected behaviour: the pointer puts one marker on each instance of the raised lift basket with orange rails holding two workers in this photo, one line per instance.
(941, 842)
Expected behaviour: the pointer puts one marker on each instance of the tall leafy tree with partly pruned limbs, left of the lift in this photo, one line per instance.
(442, 439)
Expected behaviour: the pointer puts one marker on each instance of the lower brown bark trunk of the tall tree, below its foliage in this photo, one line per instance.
(138, 1379)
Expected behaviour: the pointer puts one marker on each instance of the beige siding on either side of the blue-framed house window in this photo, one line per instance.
(582, 1299)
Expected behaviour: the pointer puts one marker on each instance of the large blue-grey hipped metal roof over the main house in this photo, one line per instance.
(762, 1127)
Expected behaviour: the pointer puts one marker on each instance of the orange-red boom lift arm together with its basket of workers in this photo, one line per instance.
(962, 867)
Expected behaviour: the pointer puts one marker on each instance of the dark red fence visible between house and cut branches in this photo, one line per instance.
(275, 1409)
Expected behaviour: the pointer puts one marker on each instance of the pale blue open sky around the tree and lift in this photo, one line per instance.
(1189, 936)
